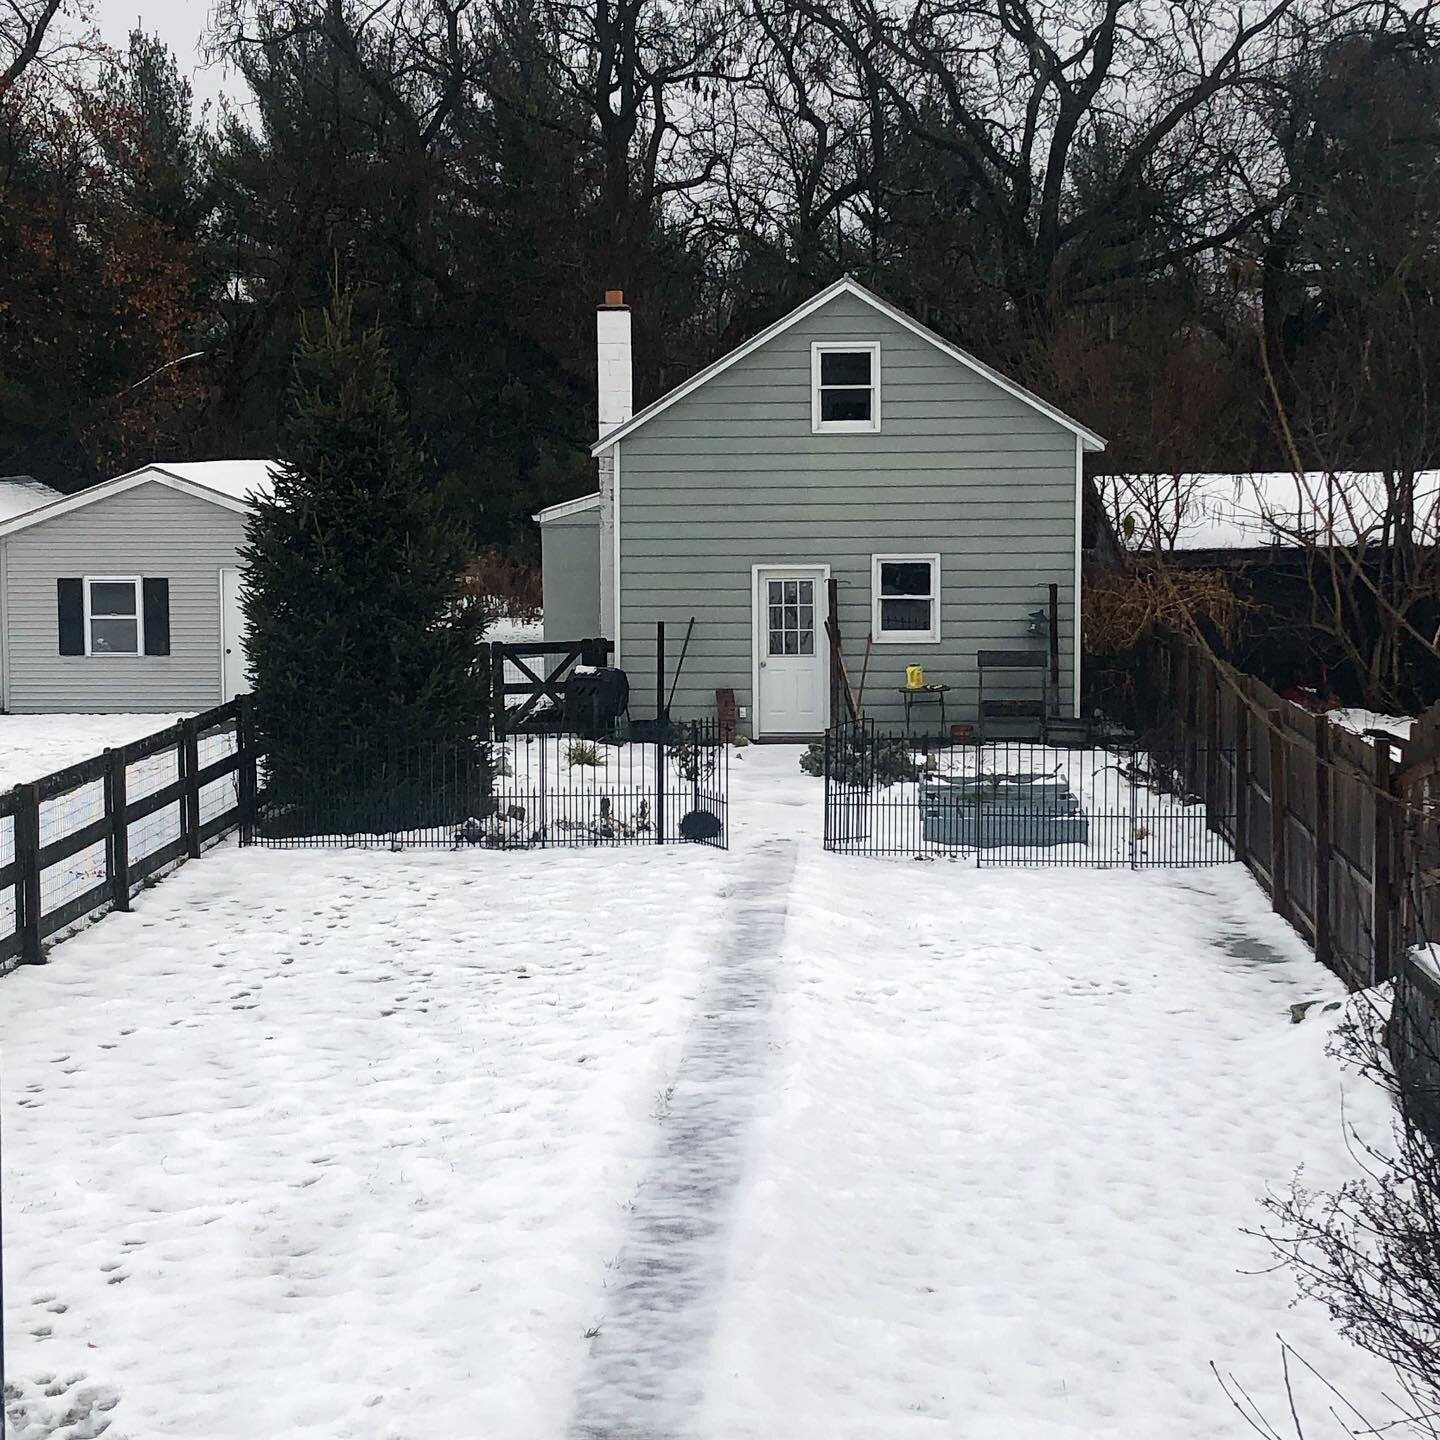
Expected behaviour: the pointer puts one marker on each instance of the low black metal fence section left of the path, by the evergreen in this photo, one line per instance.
(519, 793)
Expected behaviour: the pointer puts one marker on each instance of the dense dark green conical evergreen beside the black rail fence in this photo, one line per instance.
(364, 650)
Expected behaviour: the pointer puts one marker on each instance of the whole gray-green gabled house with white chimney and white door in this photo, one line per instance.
(847, 443)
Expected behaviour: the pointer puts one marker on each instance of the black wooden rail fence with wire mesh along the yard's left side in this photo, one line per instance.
(83, 840)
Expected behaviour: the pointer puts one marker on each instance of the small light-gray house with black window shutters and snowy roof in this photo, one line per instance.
(127, 597)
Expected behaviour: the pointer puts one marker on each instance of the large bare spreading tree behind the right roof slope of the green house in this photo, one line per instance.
(1101, 145)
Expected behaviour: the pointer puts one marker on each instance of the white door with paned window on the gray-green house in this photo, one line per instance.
(790, 650)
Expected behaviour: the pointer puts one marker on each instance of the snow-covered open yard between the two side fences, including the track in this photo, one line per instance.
(665, 1143)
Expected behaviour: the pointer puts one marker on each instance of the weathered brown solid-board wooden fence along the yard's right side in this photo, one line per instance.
(1323, 817)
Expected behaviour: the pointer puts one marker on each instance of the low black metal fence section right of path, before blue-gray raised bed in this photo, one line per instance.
(1017, 803)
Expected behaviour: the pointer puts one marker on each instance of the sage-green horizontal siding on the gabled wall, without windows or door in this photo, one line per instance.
(732, 477)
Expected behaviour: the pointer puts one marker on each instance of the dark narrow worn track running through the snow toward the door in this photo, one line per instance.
(646, 1369)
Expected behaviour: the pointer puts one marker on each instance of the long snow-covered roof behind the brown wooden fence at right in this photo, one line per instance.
(1261, 510)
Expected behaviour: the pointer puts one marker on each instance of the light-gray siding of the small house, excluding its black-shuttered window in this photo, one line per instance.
(152, 532)
